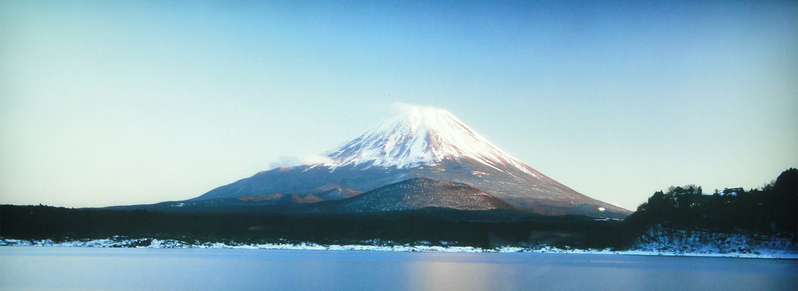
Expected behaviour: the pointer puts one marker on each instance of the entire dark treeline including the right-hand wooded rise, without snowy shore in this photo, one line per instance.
(769, 211)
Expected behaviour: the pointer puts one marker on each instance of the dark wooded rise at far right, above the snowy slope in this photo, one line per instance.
(770, 210)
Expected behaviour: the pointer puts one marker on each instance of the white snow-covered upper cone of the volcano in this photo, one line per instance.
(420, 136)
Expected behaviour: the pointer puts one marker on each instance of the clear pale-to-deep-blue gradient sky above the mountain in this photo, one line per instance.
(127, 102)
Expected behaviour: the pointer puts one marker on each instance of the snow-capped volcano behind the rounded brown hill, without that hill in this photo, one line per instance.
(423, 142)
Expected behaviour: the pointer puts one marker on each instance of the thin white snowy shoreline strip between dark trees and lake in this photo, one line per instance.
(118, 242)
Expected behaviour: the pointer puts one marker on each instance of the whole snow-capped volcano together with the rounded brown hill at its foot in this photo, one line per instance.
(423, 143)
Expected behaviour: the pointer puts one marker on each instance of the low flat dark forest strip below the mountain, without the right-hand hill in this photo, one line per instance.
(436, 226)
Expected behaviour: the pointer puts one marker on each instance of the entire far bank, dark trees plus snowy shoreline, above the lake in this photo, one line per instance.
(681, 221)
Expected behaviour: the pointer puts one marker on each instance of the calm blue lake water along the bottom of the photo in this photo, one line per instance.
(53, 268)
